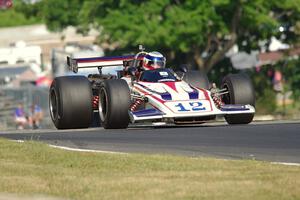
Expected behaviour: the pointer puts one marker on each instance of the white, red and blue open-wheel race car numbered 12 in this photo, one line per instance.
(158, 95)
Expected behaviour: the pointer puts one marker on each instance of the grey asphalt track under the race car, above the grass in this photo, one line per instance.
(275, 141)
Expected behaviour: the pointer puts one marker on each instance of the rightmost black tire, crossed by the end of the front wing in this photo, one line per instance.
(241, 91)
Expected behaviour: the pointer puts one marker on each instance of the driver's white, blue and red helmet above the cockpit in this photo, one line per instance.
(154, 60)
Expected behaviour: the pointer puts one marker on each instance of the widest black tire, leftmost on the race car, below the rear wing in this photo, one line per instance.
(70, 102)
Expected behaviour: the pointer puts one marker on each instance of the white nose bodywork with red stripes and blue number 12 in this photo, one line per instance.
(180, 105)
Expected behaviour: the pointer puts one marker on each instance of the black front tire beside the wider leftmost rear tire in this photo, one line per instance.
(114, 102)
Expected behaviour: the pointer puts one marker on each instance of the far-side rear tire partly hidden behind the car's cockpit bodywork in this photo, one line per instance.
(195, 78)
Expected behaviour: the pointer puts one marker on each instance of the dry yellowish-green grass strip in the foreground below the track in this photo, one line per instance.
(34, 168)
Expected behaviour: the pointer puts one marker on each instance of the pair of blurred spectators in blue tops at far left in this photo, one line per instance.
(31, 119)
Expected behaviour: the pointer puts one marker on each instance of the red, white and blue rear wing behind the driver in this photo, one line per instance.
(77, 63)
